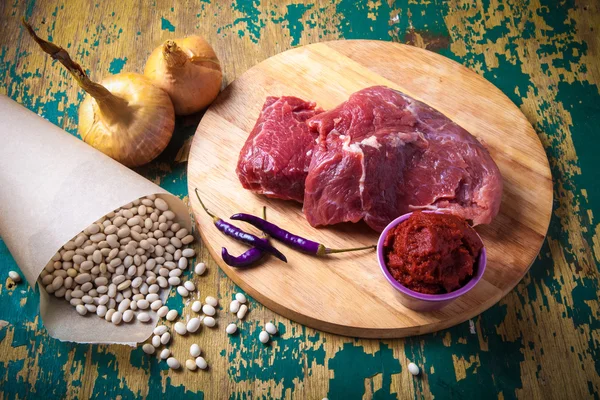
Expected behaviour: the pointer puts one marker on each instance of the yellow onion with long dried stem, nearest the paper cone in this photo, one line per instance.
(125, 116)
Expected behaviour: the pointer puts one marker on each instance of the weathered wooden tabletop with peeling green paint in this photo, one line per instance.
(541, 341)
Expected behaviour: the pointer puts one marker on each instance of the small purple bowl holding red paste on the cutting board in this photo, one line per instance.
(419, 301)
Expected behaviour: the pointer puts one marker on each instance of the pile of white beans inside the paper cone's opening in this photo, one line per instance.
(118, 266)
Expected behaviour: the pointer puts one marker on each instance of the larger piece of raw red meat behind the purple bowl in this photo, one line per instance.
(382, 154)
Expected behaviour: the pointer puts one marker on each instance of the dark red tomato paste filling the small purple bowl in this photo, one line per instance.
(432, 253)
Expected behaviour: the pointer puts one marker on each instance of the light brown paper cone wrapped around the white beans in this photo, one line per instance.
(52, 186)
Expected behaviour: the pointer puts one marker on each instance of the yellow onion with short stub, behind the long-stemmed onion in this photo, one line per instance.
(188, 70)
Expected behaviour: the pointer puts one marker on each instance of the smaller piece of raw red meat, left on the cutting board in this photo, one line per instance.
(275, 159)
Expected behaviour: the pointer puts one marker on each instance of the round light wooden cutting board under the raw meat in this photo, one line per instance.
(347, 293)
